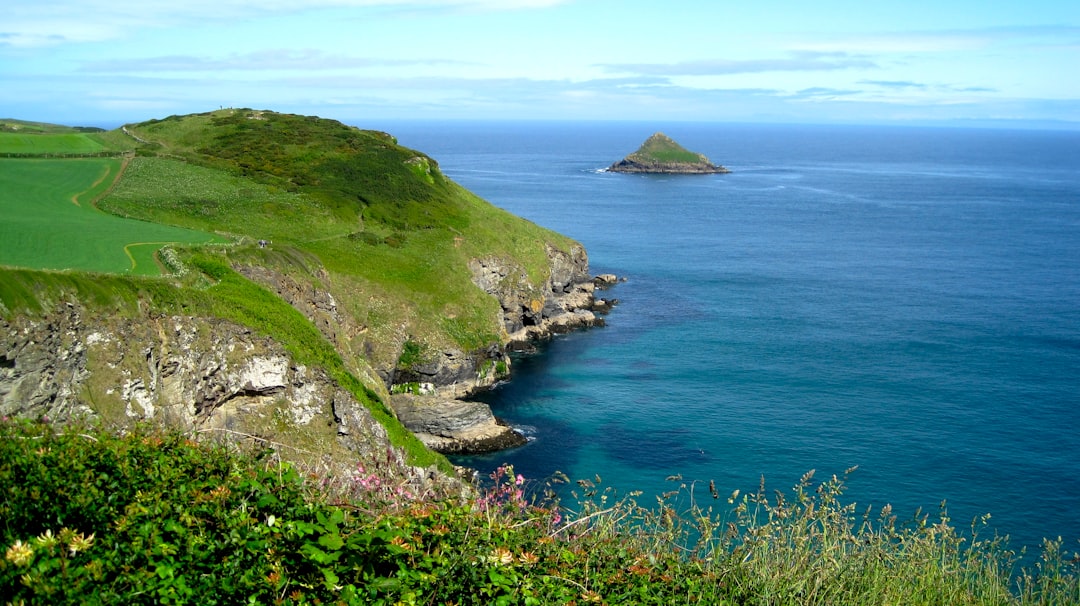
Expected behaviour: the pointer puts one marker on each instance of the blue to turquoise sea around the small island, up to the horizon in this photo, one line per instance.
(902, 300)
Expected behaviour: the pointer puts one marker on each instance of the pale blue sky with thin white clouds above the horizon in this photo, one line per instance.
(961, 62)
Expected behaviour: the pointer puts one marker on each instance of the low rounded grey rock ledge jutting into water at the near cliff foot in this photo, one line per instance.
(454, 426)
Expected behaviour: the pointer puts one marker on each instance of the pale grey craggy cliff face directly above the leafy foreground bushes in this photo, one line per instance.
(208, 376)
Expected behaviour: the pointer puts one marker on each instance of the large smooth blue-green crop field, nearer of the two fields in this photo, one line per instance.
(49, 221)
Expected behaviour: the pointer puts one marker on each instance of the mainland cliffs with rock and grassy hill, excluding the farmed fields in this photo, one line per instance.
(362, 294)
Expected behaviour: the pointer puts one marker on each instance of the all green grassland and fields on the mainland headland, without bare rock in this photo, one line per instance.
(312, 203)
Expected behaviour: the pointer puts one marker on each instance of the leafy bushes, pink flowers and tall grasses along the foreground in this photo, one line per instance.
(90, 518)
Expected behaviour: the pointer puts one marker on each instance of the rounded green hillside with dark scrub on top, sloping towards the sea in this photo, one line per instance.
(380, 218)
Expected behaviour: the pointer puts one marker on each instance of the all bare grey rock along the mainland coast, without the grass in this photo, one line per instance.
(217, 378)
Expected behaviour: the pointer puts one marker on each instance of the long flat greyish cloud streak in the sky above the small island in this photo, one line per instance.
(796, 62)
